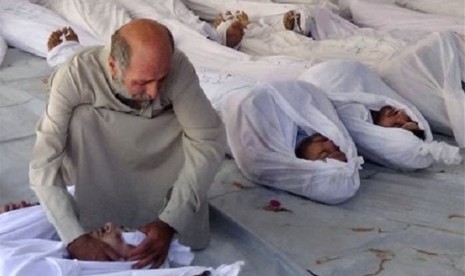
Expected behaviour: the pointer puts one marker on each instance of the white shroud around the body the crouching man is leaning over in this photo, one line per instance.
(29, 245)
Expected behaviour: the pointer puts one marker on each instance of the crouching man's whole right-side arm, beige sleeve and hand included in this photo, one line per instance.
(202, 141)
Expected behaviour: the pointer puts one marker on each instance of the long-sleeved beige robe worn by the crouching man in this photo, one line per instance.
(123, 161)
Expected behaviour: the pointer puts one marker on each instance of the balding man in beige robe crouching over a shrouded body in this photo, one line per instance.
(130, 127)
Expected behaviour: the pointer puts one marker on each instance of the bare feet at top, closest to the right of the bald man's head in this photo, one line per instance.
(237, 24)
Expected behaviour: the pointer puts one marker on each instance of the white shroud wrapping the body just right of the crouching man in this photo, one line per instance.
(262, 127)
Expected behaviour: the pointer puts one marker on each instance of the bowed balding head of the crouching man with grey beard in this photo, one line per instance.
(140, 58)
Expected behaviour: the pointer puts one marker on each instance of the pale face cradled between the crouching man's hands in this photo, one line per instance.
(112, 235)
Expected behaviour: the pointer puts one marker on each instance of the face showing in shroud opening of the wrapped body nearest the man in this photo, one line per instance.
(321, 148)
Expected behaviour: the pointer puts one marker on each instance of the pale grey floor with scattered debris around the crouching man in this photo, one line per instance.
(398, 223)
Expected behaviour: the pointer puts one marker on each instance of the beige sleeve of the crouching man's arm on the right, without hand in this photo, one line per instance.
(203, 145)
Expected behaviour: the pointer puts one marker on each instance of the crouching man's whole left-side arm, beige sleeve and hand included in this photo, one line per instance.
(45, 175)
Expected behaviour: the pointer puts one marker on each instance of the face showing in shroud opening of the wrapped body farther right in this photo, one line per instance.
(393, 117)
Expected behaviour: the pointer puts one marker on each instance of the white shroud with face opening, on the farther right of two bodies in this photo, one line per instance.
(355, 90)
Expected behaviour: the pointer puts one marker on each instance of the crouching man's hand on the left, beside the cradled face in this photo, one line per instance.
(89, 248)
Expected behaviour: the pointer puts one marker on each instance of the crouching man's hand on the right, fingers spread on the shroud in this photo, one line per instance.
(154, 249)
